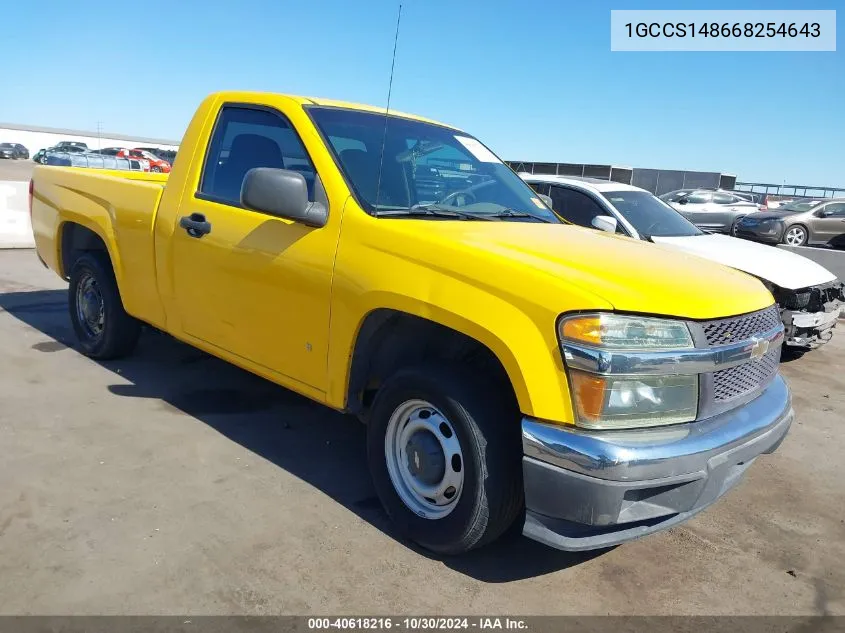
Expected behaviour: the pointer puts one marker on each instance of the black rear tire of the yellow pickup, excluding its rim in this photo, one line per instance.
(120, 332)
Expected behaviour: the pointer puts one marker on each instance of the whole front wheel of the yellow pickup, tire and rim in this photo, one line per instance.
(445, 455)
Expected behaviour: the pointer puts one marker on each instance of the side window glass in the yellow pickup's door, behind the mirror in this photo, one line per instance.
(245, 138)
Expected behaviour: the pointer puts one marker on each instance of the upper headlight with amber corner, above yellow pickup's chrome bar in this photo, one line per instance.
(618, 331)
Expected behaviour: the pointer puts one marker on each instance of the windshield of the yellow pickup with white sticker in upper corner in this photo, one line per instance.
(424, 167)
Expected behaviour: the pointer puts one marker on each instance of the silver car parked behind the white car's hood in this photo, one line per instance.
(709, 209)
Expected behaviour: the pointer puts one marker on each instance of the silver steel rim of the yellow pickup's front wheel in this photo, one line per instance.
(420, 442)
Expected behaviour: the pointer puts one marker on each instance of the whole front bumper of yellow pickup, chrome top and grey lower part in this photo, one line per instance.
(590, 489)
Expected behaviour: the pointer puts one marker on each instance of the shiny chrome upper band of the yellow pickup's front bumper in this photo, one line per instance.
(656, 452)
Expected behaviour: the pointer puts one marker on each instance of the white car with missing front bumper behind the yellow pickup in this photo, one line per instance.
(809, 296)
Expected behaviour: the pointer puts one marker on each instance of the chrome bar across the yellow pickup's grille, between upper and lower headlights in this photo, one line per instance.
(682, 361)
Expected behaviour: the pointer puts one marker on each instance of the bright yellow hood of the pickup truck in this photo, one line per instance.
(630, 275)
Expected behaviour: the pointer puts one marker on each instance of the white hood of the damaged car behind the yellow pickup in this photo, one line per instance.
(776, 265)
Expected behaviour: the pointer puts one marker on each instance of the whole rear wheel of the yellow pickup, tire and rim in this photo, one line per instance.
(104, 329)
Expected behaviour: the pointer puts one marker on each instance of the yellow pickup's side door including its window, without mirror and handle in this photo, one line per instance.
(255, 285)
